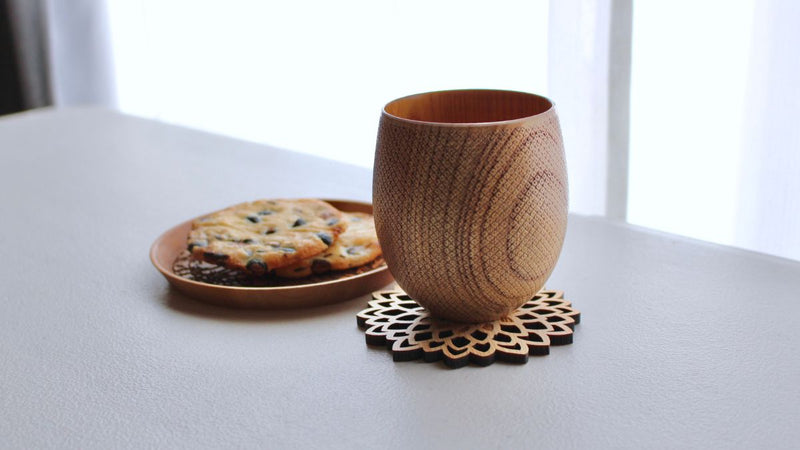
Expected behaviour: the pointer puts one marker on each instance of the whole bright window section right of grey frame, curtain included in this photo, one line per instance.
(715, 149)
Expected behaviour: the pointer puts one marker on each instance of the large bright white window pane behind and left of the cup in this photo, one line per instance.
(313, 76)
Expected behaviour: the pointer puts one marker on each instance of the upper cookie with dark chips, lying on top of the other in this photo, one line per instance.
(257, 237)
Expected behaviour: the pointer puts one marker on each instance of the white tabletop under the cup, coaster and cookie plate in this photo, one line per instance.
(681, 343)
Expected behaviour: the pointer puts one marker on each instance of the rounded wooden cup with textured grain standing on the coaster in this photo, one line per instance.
(470, 199)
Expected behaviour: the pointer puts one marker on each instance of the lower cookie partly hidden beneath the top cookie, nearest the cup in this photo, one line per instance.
(356, 246)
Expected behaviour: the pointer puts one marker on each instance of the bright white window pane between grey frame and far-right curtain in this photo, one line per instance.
(689, 73)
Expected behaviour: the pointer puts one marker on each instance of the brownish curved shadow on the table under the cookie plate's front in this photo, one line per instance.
(177, 301)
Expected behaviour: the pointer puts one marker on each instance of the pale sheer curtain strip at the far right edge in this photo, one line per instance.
(768, 215)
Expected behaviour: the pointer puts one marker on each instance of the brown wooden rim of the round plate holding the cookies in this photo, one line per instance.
(170, 244)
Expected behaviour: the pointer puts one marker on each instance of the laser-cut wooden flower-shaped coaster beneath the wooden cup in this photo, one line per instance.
(409, 332)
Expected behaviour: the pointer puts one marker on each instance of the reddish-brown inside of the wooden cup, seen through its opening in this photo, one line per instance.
(468, 106)
